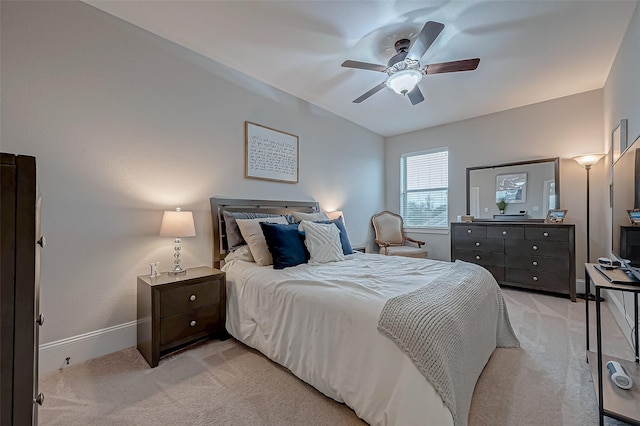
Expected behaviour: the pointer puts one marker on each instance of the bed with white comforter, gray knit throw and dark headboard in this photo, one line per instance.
(334, 324)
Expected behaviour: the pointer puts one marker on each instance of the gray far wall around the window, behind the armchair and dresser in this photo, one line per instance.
(563, 128)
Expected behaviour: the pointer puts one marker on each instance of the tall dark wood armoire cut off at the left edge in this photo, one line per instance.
(20, 243)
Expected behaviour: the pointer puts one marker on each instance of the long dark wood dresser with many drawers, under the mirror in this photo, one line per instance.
(531, 255)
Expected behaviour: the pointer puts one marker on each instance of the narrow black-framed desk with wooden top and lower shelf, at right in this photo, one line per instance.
(613, 402)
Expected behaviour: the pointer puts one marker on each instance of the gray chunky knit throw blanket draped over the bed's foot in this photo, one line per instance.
(440, 324)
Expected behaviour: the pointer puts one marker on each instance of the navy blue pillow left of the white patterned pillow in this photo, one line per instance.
(285, 244)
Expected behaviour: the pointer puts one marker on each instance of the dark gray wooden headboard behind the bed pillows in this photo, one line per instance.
(218, 205)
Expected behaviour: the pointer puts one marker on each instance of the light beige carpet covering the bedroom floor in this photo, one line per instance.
(545, 382)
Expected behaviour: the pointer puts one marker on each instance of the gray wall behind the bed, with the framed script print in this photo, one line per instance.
(124, 125)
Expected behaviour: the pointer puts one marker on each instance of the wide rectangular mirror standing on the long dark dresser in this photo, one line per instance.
(528, 188)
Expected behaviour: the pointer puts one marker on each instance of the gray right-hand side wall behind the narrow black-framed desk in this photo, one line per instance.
(622, 100)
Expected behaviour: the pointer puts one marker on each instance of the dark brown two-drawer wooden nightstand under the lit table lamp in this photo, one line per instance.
(177, 310)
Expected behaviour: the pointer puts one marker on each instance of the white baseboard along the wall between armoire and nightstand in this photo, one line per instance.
(83, 347)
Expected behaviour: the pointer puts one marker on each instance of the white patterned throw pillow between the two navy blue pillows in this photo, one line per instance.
(322, 241)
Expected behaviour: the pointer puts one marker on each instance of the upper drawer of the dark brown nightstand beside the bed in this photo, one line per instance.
(189, 297)
